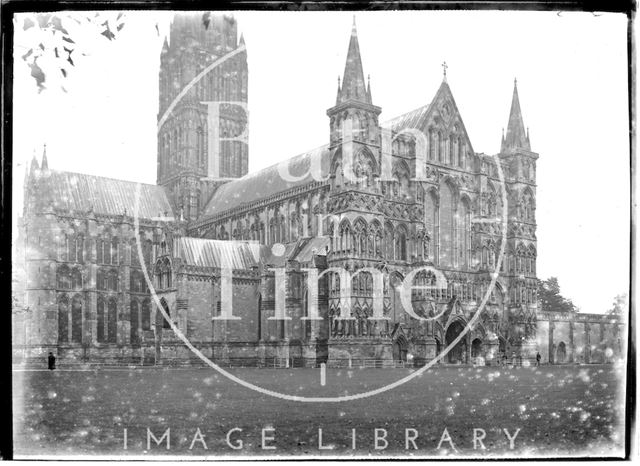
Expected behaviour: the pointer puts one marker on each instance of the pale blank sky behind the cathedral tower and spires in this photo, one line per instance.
(572, 82)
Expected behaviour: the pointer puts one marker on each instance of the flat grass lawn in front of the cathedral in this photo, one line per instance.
(560, 410)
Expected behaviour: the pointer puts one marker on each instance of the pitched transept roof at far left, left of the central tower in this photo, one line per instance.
(106, 196)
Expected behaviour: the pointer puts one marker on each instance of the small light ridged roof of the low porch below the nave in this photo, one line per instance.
(216, 253)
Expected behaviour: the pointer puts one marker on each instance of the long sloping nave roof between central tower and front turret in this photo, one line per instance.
(268, 181)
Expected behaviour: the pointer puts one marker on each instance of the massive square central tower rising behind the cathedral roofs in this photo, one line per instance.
(202, 109)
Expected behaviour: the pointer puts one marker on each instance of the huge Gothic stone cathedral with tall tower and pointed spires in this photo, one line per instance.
(333, 256)
